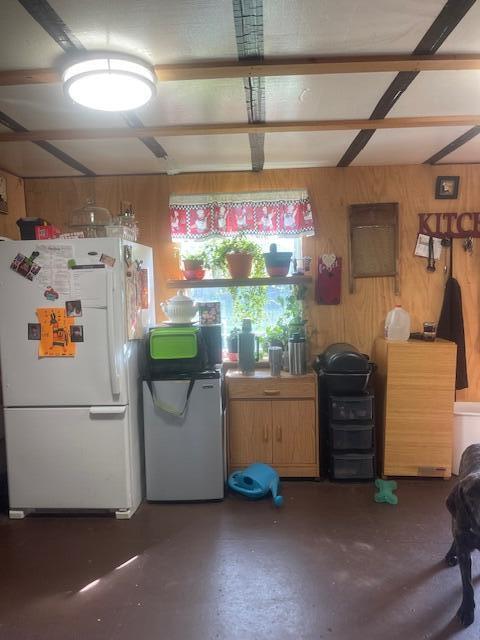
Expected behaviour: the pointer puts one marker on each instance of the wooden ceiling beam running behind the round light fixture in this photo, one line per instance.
(292, 67)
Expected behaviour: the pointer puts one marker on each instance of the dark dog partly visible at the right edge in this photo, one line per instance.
(464, 505)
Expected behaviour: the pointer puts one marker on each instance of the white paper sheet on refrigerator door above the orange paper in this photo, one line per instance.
(54, 273)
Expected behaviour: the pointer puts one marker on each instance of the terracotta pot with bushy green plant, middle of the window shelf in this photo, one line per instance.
(237, 256)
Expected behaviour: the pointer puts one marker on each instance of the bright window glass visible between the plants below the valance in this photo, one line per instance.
(275, 298)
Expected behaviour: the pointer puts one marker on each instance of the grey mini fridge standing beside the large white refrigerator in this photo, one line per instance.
(184, 438)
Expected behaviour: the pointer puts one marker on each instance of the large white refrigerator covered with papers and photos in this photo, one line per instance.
(72, 423)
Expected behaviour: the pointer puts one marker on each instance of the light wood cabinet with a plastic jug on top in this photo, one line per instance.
(415, 395)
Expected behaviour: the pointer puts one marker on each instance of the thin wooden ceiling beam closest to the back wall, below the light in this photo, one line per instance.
(236, 128)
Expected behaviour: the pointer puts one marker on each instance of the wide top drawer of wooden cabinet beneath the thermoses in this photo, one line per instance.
(303, 387)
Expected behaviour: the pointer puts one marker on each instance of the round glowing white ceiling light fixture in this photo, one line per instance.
(110, 82)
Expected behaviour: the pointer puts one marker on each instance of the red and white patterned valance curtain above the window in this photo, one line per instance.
(263, 213)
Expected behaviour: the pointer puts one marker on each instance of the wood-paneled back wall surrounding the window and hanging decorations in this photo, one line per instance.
(359, 318)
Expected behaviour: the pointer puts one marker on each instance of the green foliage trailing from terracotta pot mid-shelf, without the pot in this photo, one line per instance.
(247, 302)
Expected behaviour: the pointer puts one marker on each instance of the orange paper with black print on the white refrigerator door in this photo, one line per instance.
(55, 333)
